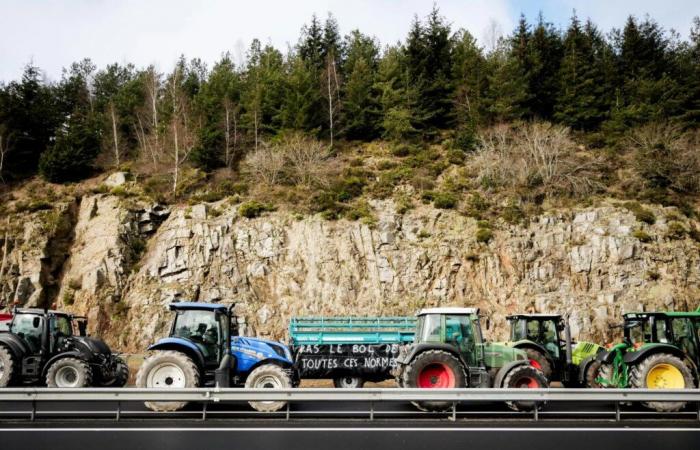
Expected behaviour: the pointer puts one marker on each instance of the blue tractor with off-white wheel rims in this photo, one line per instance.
(204, 349)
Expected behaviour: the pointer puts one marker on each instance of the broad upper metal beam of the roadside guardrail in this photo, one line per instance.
(350, 395)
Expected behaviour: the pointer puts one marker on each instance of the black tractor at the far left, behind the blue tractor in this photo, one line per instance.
(45, 347)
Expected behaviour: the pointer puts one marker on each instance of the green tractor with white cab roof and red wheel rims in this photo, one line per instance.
(449, 352)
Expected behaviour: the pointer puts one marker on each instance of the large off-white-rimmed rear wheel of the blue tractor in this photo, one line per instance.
(167, 369)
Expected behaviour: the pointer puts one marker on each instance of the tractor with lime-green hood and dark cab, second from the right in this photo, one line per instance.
(561, 360)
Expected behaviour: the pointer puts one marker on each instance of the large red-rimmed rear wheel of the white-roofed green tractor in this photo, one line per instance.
(434, 369)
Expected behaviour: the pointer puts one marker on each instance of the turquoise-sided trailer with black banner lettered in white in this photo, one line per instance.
(349, 350)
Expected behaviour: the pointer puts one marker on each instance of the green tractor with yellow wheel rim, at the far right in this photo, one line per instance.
(660, 350)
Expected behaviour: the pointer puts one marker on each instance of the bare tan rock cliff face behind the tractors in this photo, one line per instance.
(124, 267)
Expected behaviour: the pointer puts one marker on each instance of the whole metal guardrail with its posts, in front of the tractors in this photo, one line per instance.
(206, 398)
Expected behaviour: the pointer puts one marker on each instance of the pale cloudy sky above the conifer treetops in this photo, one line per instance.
(53, 34)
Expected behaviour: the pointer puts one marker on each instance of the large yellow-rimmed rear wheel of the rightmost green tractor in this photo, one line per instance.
(662, 371)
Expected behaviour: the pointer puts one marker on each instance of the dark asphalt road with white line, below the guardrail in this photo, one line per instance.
(320, 425)
